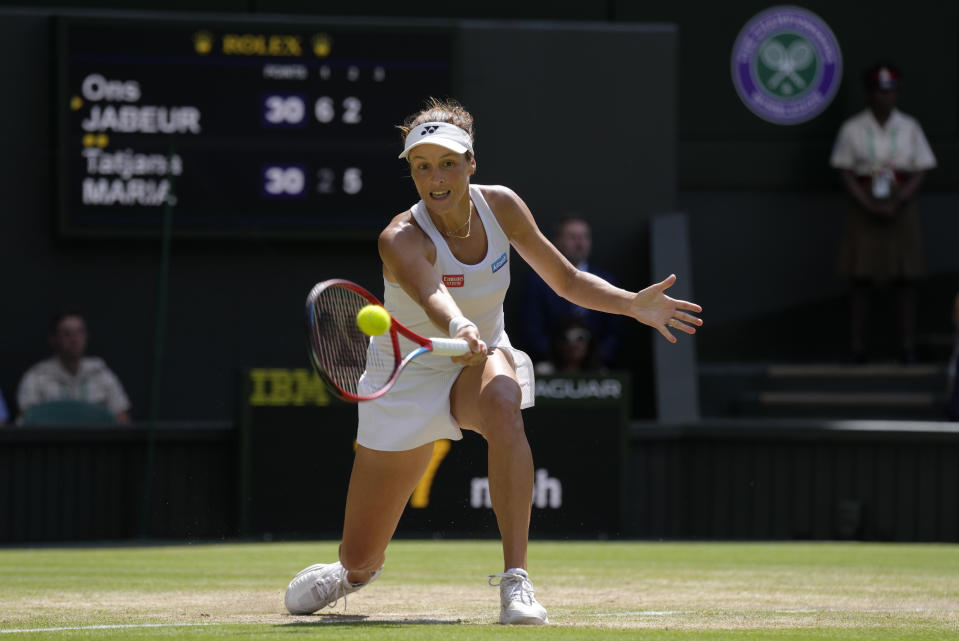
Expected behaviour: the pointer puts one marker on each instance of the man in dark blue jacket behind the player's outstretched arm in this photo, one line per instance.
(545, 313)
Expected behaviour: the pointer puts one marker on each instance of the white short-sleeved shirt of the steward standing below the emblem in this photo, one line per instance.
(865, 146)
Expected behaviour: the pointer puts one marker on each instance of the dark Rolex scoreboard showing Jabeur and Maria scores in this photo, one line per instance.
(236, 128)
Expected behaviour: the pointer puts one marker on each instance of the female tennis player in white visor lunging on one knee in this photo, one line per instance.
(446, 265)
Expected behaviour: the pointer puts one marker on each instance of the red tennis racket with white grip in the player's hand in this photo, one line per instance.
(352, 366)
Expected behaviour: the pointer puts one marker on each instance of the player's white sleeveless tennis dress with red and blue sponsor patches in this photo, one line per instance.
(417, 410)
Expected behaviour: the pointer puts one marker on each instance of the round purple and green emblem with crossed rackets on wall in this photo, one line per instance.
(786, 65)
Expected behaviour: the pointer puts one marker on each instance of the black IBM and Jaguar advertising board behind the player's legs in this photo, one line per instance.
(297, 445)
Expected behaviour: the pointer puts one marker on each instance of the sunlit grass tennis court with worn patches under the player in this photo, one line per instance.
(437, 590)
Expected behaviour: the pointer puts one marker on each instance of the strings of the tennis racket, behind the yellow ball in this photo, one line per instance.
(349, 358)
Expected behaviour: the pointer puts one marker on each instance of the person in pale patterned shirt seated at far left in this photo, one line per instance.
(70, 375)
